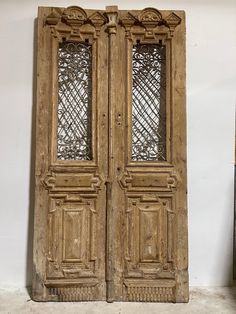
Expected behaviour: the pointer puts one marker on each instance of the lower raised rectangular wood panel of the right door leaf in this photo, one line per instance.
(150, 236)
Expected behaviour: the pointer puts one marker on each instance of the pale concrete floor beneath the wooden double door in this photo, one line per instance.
(202, 301)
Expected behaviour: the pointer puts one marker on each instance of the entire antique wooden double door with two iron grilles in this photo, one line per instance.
(110, 209)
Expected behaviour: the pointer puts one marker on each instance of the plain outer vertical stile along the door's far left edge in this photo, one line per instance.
(39, 291)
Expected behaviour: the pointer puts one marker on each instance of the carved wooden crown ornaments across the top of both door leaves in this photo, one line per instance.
(68, 23)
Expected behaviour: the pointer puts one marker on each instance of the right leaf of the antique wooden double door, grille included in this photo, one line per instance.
(151, 195)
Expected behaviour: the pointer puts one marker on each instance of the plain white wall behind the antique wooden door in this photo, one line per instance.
(211, 97)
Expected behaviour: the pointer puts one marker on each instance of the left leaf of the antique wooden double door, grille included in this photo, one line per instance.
(72, 153)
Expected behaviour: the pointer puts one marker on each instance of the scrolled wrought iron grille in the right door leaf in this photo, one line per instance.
(149, 103)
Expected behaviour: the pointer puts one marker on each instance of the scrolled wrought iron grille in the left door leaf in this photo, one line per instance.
(74, 101)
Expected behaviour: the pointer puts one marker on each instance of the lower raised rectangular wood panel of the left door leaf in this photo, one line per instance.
(75, 256)
